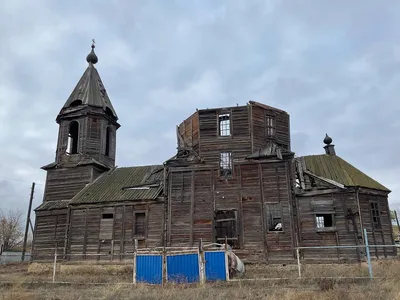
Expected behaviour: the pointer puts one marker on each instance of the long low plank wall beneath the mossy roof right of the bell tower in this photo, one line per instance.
(89, 233)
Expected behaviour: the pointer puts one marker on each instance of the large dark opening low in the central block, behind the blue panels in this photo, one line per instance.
(226, 227)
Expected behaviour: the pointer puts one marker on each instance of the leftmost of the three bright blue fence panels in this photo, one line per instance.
(149, 269)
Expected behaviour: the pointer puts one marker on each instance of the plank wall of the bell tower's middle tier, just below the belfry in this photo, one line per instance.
(65, 183)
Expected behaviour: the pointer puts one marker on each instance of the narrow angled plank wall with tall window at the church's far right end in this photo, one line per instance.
(377, 236)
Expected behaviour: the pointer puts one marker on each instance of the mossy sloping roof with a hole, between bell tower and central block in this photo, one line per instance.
(124, 184)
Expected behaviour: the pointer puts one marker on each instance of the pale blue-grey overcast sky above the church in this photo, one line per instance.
(332, 65)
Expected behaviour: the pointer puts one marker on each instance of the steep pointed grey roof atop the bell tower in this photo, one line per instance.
(91, 91)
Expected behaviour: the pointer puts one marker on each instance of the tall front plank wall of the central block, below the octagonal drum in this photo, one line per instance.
(196, 193)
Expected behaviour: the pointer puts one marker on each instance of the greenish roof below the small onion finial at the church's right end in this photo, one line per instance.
(335, 168)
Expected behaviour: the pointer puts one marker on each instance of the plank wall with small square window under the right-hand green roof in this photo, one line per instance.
(337, 203)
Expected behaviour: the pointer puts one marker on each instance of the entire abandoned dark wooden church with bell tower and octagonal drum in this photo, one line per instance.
(234, 177)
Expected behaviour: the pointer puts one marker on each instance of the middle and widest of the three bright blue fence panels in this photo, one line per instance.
(183, 268)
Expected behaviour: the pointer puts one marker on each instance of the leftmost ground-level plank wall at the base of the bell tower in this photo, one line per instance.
(49, 233)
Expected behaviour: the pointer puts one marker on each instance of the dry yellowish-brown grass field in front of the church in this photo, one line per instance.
(23, 281)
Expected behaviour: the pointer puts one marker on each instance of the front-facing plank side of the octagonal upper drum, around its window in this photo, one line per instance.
(211, 144)
